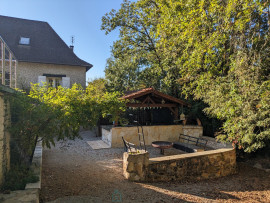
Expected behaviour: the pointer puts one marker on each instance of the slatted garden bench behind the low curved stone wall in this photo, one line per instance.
(190, 144)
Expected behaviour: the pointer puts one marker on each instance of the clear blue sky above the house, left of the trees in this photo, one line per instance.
(78, 18)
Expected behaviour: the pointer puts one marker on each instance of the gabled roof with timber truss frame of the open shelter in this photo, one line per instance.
(150, 98)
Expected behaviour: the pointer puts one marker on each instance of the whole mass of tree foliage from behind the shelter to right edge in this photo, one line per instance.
(214, 51)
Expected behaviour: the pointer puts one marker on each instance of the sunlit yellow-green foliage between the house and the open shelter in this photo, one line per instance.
(76, 107)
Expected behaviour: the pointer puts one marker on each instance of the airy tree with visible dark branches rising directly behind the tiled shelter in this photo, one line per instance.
(136, 60)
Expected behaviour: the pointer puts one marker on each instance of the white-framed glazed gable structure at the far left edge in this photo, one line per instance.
(8, 64)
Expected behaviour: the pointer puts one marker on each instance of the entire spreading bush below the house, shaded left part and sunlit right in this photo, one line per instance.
(50, 114)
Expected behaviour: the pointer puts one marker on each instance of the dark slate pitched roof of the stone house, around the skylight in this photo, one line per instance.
(45, 44)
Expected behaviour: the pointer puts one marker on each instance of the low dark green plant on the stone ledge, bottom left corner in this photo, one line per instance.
(18, 177)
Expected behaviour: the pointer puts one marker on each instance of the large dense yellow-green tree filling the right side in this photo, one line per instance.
(222, 49)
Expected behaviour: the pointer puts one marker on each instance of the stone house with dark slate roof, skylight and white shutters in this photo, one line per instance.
(42, 56)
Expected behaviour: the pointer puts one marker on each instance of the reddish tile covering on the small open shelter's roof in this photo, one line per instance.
(146, 91)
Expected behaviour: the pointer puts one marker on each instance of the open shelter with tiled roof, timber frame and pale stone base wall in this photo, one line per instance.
(158, 113)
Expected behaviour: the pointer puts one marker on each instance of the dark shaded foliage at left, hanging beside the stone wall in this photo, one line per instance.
(30, 119)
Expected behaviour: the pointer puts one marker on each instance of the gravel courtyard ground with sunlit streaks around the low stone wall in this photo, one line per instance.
(73, 172)
